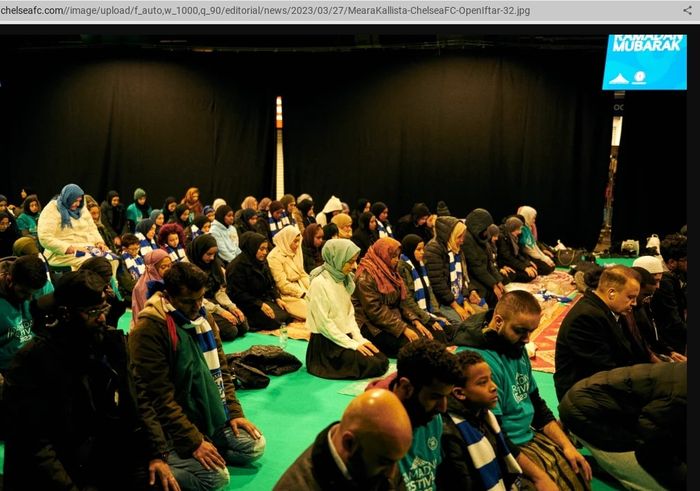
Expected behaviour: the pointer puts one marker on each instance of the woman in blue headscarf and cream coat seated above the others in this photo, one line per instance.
(67, 231)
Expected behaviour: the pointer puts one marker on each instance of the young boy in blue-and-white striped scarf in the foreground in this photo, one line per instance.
(477, 456)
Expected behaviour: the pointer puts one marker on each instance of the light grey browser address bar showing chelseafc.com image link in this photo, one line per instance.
(348, 12)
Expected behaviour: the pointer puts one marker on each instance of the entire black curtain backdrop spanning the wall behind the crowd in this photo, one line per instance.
(492, 128)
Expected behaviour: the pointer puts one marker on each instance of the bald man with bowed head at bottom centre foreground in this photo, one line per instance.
(358, 453)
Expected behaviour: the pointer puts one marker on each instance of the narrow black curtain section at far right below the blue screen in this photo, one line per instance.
(650, 189)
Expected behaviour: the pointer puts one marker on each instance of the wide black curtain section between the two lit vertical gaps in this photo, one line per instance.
(494, 130)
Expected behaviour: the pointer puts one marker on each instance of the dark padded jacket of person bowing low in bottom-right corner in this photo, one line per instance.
(640, 407)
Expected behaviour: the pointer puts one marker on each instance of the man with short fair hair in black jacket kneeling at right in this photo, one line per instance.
(594, 335)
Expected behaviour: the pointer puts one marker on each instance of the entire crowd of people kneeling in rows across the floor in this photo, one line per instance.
(195, 275)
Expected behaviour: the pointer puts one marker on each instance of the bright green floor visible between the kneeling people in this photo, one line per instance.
(295, 407)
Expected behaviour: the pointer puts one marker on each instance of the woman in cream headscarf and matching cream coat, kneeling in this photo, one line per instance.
(286, 263)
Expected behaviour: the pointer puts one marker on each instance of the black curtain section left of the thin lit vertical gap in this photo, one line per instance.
(161, 122)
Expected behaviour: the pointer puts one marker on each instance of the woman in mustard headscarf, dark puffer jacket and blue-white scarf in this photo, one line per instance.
(448, 272)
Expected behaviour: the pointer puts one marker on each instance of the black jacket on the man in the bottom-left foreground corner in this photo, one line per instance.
(74, 416)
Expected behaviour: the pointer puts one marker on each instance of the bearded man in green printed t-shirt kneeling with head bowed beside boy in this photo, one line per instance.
(546, 455)
